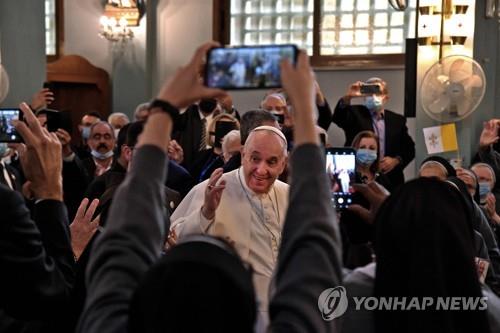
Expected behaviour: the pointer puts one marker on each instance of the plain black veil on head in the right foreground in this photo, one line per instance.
(424, 248)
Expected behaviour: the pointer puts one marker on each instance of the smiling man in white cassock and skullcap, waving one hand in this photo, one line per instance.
(246, 206)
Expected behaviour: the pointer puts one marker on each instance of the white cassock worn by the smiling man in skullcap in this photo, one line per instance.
(253, 222)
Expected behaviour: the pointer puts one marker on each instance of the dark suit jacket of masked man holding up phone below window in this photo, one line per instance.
(356, 118)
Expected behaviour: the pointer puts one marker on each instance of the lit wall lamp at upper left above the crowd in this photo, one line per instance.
(119, 16)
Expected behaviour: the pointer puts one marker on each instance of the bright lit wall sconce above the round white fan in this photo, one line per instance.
(438, 19)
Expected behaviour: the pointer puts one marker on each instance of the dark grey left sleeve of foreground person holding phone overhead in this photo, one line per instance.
(130, 244)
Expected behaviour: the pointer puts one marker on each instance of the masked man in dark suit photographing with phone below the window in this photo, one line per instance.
(397, 148)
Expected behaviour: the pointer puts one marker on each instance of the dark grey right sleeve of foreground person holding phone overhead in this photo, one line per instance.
(310, 240)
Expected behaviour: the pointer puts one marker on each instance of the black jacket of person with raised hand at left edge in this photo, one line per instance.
(36, 259)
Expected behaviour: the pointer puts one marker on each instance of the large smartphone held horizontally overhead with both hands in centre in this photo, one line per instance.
(247, 67)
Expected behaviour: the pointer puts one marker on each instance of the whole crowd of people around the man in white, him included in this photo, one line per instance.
(194, 217)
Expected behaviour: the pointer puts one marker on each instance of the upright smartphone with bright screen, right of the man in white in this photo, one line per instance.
(341, 170)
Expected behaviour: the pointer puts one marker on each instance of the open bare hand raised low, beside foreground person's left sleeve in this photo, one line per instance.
(83, 227)
